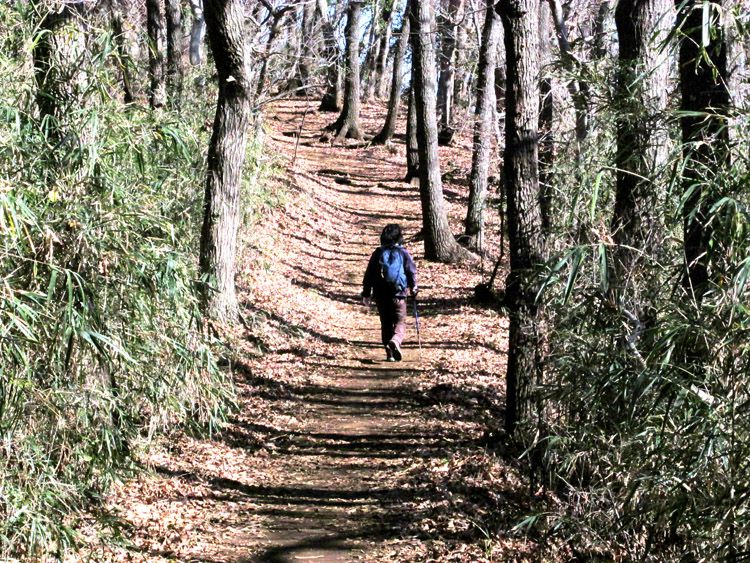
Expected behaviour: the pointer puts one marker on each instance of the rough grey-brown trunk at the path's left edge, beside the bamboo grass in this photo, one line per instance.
(226, 155)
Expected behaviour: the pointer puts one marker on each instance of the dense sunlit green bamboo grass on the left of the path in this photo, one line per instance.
(101, 343)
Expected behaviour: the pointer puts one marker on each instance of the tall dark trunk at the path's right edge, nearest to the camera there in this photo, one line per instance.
(527, 242)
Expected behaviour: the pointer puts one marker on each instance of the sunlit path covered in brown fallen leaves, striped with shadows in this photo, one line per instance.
(335, 454)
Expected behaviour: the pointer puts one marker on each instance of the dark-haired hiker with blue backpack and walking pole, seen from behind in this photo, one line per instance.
(390, 273)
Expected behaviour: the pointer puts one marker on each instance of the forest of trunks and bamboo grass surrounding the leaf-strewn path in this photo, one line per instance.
(623, 130)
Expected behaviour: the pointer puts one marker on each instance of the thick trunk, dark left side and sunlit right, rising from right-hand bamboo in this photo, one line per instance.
(642, 135)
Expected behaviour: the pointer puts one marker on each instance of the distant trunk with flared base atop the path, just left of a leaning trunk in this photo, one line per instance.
(347, 125)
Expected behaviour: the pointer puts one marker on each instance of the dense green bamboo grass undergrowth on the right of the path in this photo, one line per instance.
(644, 433)
